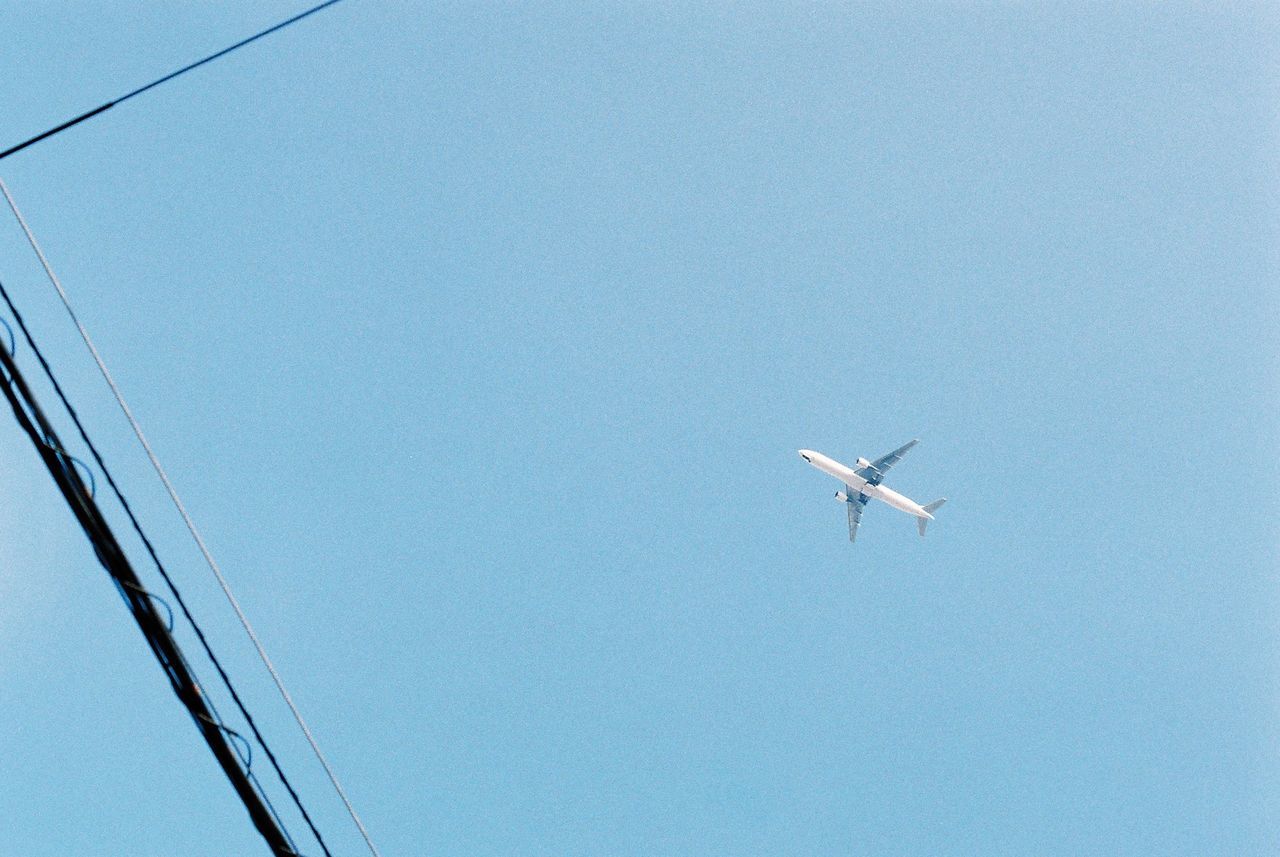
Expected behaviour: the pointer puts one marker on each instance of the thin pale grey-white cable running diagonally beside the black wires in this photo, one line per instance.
(182, 511)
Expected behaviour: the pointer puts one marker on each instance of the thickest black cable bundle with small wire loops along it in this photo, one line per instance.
(163, 645)
